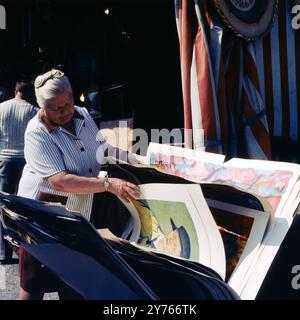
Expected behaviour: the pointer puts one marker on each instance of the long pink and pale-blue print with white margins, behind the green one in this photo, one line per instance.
(270, 181)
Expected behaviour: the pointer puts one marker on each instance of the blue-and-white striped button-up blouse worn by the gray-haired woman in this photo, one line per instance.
(50, 152)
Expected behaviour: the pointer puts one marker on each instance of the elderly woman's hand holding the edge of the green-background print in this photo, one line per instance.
(124, 189)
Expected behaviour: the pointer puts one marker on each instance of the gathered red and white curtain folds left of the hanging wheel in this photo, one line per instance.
(202, 78)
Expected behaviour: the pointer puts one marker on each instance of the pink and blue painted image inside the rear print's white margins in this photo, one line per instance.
(268, 184)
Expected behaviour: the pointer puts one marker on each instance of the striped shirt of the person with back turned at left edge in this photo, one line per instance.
(14, 117)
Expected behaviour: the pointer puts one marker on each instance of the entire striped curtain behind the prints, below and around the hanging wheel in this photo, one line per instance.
(241, 95)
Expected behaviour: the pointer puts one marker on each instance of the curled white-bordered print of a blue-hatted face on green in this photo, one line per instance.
(175, 220)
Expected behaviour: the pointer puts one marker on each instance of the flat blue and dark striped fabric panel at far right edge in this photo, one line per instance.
(281, 74)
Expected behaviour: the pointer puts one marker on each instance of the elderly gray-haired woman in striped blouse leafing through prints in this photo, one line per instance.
(61, 165)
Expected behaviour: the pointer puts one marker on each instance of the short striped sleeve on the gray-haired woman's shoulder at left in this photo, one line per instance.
(42, 155)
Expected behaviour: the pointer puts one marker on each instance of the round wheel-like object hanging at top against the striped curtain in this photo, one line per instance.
(249, 19)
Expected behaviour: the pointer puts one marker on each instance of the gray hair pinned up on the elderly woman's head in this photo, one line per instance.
(49, 85)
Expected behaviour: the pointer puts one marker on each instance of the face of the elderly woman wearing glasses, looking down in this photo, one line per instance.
(60, 109)
